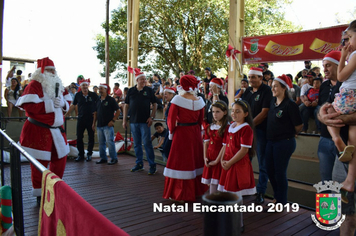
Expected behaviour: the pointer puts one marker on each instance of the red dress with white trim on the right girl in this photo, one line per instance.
(239, 178)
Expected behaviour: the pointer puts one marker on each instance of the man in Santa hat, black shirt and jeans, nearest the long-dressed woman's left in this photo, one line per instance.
(137, 105)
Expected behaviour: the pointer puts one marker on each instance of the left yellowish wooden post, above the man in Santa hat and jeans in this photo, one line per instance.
(133, 20)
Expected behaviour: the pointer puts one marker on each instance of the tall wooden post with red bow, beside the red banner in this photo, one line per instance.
(236, 31)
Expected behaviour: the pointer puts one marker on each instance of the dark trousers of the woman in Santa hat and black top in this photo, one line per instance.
(278, 154)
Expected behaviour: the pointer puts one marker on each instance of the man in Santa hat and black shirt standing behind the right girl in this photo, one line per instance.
(259, 97)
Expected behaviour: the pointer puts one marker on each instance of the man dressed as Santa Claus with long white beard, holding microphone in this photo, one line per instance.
(42, 136)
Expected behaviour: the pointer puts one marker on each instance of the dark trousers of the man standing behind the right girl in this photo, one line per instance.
(261, 142)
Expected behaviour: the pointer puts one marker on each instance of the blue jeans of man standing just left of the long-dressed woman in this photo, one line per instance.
(141, 132)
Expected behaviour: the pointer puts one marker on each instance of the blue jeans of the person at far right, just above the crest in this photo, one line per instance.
(327, 153)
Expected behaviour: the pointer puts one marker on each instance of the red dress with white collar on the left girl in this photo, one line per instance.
(211, 175)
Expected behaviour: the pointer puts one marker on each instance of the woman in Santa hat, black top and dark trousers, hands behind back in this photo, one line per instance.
(283, 123)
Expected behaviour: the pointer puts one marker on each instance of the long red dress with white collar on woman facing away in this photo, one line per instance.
(185, 163)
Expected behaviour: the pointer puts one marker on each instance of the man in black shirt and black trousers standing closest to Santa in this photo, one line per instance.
(85, 101)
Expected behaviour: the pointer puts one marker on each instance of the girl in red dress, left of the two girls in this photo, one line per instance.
(213, 140)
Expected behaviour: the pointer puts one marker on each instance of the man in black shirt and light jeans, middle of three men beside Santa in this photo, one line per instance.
(106, 106)
